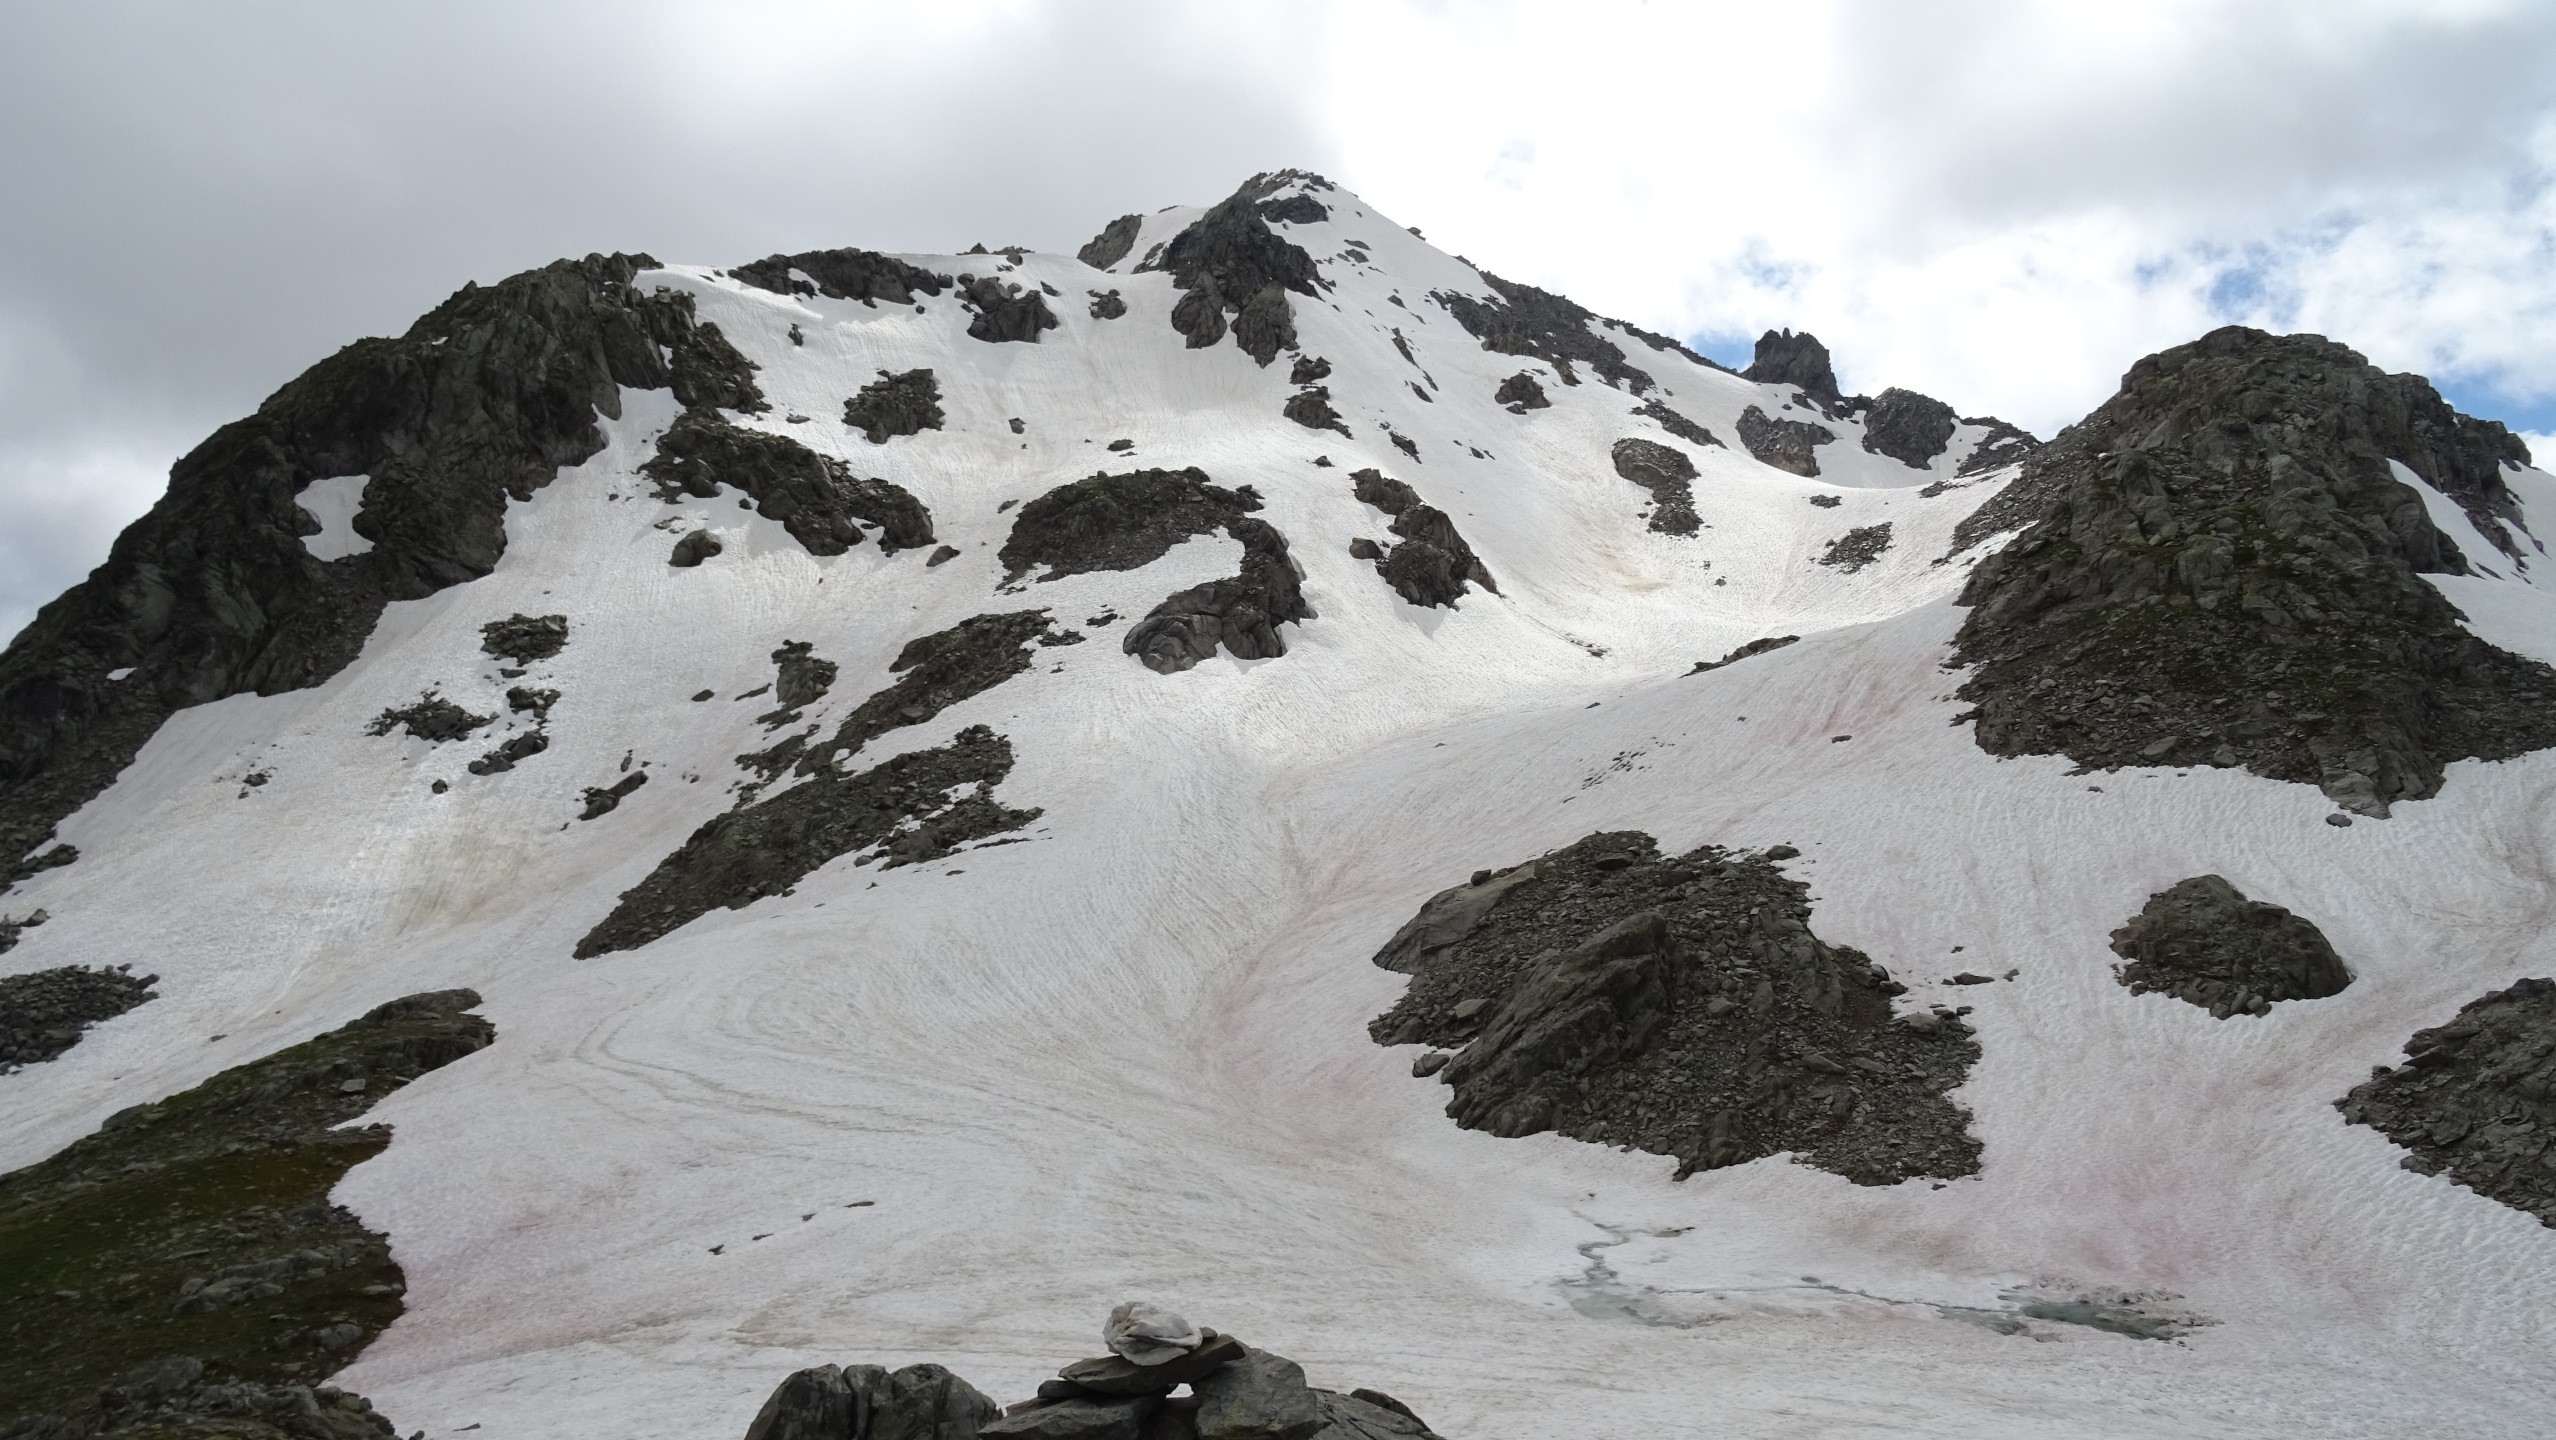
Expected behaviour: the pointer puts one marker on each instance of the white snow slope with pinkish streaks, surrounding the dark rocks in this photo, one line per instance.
(1131, 1060)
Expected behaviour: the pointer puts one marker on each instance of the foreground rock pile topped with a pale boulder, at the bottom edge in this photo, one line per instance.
(1233, 1393)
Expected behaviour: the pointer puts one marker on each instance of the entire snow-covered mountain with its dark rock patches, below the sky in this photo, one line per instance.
(1272, 771)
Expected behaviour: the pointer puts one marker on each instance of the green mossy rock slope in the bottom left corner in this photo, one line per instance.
(183, 1270)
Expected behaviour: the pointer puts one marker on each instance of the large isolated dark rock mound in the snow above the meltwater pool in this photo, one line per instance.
(1678, 1006)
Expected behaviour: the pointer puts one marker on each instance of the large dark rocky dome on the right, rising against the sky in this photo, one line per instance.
(2228, 572)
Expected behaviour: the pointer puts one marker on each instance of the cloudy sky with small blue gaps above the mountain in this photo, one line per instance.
(1998, 203)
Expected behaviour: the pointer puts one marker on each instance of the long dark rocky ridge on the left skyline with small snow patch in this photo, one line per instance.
(216, 595)
